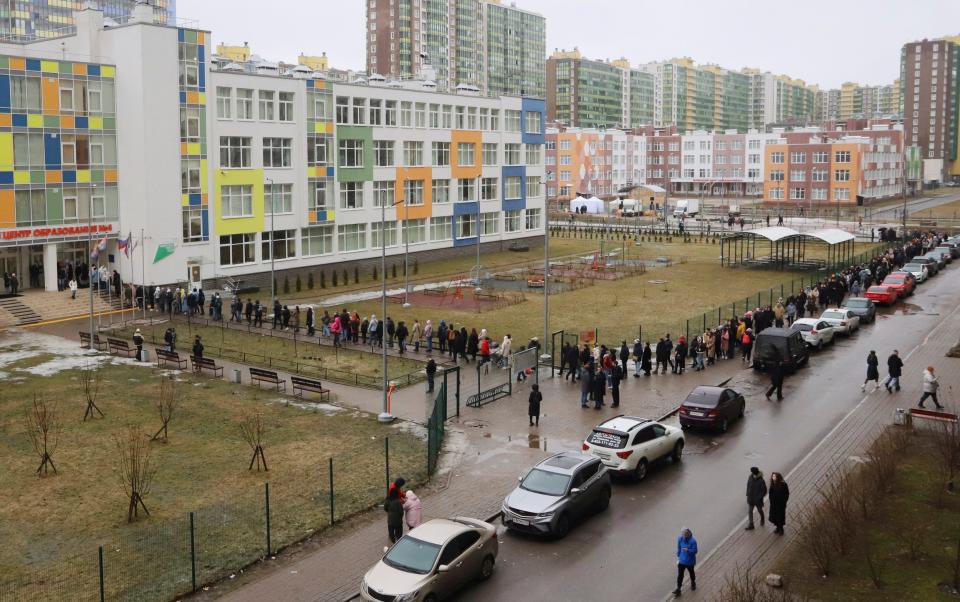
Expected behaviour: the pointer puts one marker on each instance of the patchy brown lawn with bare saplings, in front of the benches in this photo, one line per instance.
(51, 526)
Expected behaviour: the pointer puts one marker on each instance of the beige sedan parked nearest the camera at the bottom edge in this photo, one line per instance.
(433, 561)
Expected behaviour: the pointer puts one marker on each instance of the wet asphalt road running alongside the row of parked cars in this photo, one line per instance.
(627, 553)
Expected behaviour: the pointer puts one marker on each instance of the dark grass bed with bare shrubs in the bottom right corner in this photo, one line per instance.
(908, 510)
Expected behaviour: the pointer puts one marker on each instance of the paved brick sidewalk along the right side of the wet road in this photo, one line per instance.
(759, 551)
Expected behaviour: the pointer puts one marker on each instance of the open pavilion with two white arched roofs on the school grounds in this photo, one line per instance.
(786, 249)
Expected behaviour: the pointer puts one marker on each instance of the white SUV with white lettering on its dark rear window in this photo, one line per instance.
(628, 445)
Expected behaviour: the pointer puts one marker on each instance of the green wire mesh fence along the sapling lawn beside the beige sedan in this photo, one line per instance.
(164, 559)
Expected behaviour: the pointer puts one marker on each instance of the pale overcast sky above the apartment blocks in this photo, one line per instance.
(826, 42)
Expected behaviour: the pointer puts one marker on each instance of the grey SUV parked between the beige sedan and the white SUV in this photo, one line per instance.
(557, 491)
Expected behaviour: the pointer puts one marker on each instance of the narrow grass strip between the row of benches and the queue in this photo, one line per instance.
(350, 365)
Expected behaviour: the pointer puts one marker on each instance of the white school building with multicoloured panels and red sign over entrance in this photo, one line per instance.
(218, 173)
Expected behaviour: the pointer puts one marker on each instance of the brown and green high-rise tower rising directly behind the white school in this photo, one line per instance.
(500, 49)
